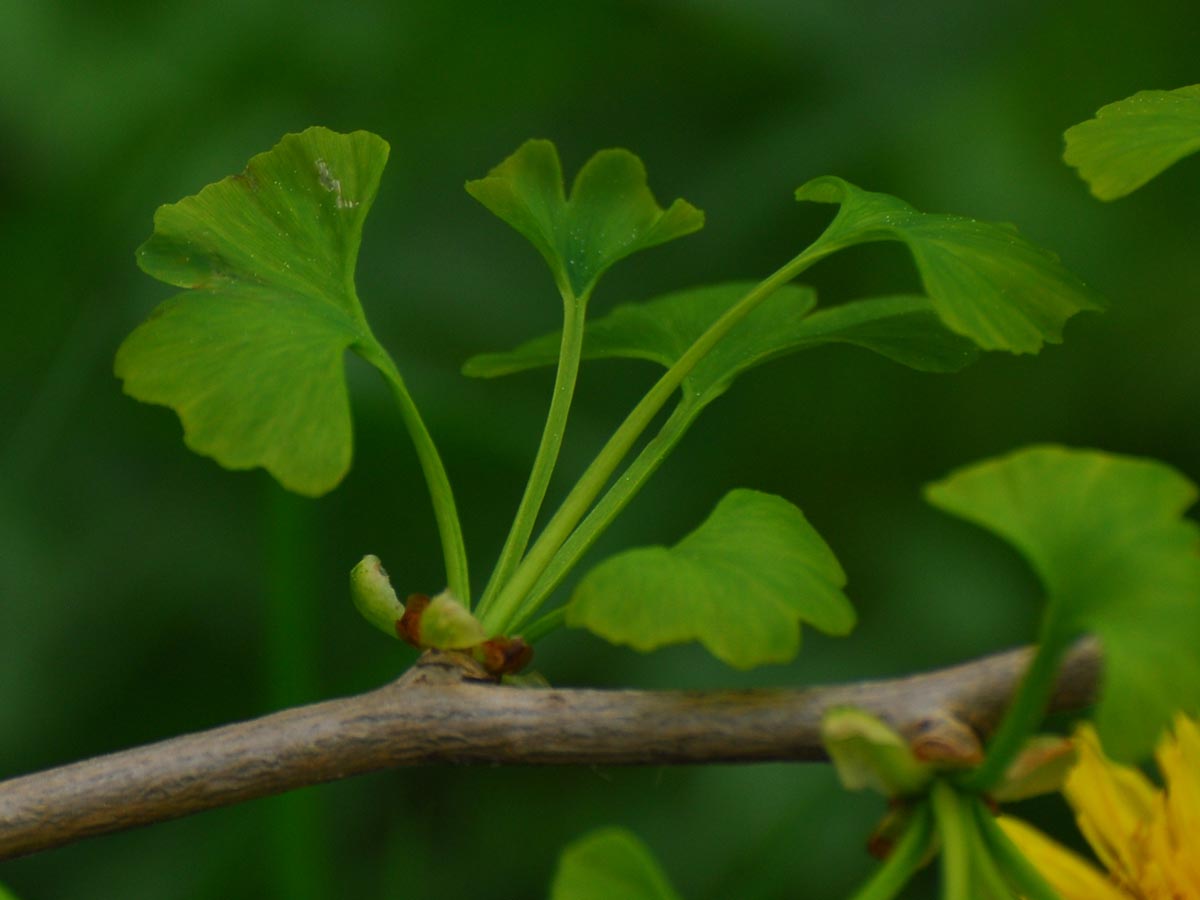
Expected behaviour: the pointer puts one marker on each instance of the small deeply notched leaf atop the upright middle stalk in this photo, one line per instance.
(609, 215)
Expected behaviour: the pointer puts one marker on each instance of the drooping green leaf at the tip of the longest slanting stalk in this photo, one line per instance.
(987, 281)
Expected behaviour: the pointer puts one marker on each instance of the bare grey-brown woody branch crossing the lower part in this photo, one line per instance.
(445, 712)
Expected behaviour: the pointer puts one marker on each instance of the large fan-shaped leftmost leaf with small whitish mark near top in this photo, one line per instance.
(251, 357)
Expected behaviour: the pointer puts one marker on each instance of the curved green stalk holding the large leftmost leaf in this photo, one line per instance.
(445, 512)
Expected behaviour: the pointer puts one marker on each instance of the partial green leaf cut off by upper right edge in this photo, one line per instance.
(1132, 141)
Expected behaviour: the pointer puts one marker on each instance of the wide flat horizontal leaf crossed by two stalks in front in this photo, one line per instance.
(903, 328)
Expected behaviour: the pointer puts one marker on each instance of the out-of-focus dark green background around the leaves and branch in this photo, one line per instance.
(145, 592)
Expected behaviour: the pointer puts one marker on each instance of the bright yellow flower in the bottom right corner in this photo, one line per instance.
(1148, 839)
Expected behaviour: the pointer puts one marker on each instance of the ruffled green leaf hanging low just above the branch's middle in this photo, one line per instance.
(741, 585)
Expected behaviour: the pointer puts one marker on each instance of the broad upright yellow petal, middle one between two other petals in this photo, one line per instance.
(1114, 806)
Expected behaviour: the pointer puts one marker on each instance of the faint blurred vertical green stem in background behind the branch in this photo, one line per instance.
(299, 859)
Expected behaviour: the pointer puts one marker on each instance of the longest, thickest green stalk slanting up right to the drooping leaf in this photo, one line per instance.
(501, 615)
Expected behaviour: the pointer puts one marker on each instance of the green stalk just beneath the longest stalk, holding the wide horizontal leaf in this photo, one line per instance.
(609, 508)
